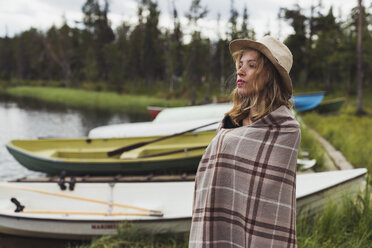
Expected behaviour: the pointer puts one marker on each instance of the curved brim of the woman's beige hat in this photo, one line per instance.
(240, 44)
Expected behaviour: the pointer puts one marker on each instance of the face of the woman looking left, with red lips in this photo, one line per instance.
(246, 74)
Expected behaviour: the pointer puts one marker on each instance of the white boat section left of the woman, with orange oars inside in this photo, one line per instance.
(95, 209)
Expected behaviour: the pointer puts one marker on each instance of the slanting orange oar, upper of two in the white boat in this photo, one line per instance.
(150, 212)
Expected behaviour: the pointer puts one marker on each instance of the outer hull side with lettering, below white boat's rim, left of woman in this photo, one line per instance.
(69, 229)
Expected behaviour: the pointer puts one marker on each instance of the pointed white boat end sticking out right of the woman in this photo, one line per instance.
(315, 190)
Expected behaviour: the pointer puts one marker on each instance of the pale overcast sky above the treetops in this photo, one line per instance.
(19, 15)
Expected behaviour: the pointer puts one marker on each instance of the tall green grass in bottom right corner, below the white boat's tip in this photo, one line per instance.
(346, 225)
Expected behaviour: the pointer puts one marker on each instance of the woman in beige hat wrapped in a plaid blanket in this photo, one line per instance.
(245, 184)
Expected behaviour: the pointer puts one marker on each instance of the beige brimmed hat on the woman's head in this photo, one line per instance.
(274, 50)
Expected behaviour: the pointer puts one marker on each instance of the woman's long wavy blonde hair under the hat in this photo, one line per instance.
(264, 101)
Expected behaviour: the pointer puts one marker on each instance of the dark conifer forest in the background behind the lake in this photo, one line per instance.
(146, 56)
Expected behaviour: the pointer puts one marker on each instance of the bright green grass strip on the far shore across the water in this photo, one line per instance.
(93, 100)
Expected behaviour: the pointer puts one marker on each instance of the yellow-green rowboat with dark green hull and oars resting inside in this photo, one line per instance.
(90, 156)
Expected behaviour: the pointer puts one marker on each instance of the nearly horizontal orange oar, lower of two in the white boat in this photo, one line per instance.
(79, 213)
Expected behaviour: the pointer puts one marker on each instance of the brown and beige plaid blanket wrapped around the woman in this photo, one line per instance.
(245, 189)
